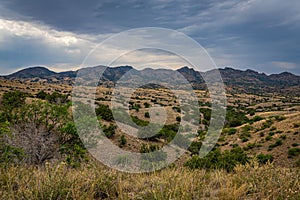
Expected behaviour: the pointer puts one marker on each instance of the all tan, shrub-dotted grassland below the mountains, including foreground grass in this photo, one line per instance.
(42, 157)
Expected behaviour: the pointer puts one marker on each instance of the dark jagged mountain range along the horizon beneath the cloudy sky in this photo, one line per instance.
(248, 81)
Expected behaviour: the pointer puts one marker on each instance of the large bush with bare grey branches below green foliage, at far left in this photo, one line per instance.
(36, 130)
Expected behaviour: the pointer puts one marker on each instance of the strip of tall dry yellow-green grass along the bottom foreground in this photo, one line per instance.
(98, 182)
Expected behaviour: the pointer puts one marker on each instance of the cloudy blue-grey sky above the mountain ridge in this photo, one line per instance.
(262, 35)
